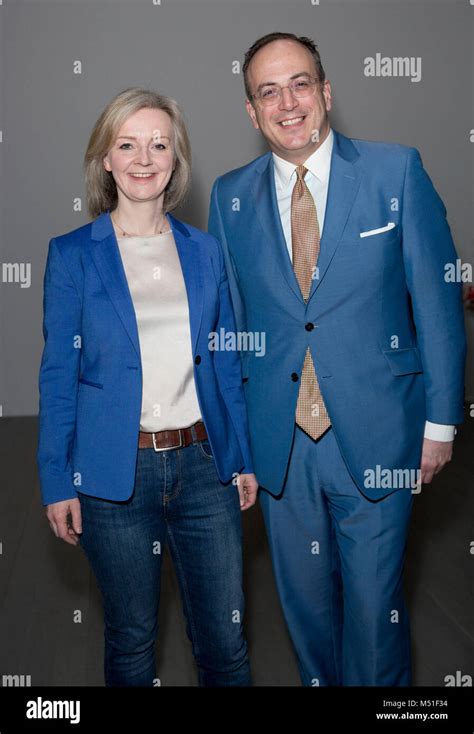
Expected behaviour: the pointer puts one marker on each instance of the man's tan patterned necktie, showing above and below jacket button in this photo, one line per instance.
(311, 413)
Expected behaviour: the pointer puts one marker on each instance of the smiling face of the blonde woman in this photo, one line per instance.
(143, 146)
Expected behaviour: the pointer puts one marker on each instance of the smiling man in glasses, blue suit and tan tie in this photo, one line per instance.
(336, 250)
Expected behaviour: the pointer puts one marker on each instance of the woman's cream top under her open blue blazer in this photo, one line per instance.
(156, 284)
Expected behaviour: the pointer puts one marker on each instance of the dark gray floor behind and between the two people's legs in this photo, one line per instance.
(51, 617)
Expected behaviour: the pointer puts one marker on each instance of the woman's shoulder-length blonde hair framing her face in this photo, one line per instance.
(101, 189)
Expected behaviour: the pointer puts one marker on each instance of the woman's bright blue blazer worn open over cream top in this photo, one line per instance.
(91, 377)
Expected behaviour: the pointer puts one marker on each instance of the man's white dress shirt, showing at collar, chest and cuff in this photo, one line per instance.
(317, 180)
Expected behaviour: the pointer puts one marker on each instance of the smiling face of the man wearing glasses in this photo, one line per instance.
(293, 126)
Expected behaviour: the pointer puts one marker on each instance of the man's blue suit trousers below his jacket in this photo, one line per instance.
(338, 562)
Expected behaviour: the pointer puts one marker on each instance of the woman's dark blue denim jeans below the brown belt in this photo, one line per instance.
(179, 499)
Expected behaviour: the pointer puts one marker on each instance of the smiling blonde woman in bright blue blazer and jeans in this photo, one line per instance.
(143, 428)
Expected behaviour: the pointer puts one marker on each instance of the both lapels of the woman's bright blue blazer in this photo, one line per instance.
(106, 255)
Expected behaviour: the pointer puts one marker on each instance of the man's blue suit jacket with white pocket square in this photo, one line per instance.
(388, 344)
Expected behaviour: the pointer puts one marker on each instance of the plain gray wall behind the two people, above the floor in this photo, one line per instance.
(187, 50)
